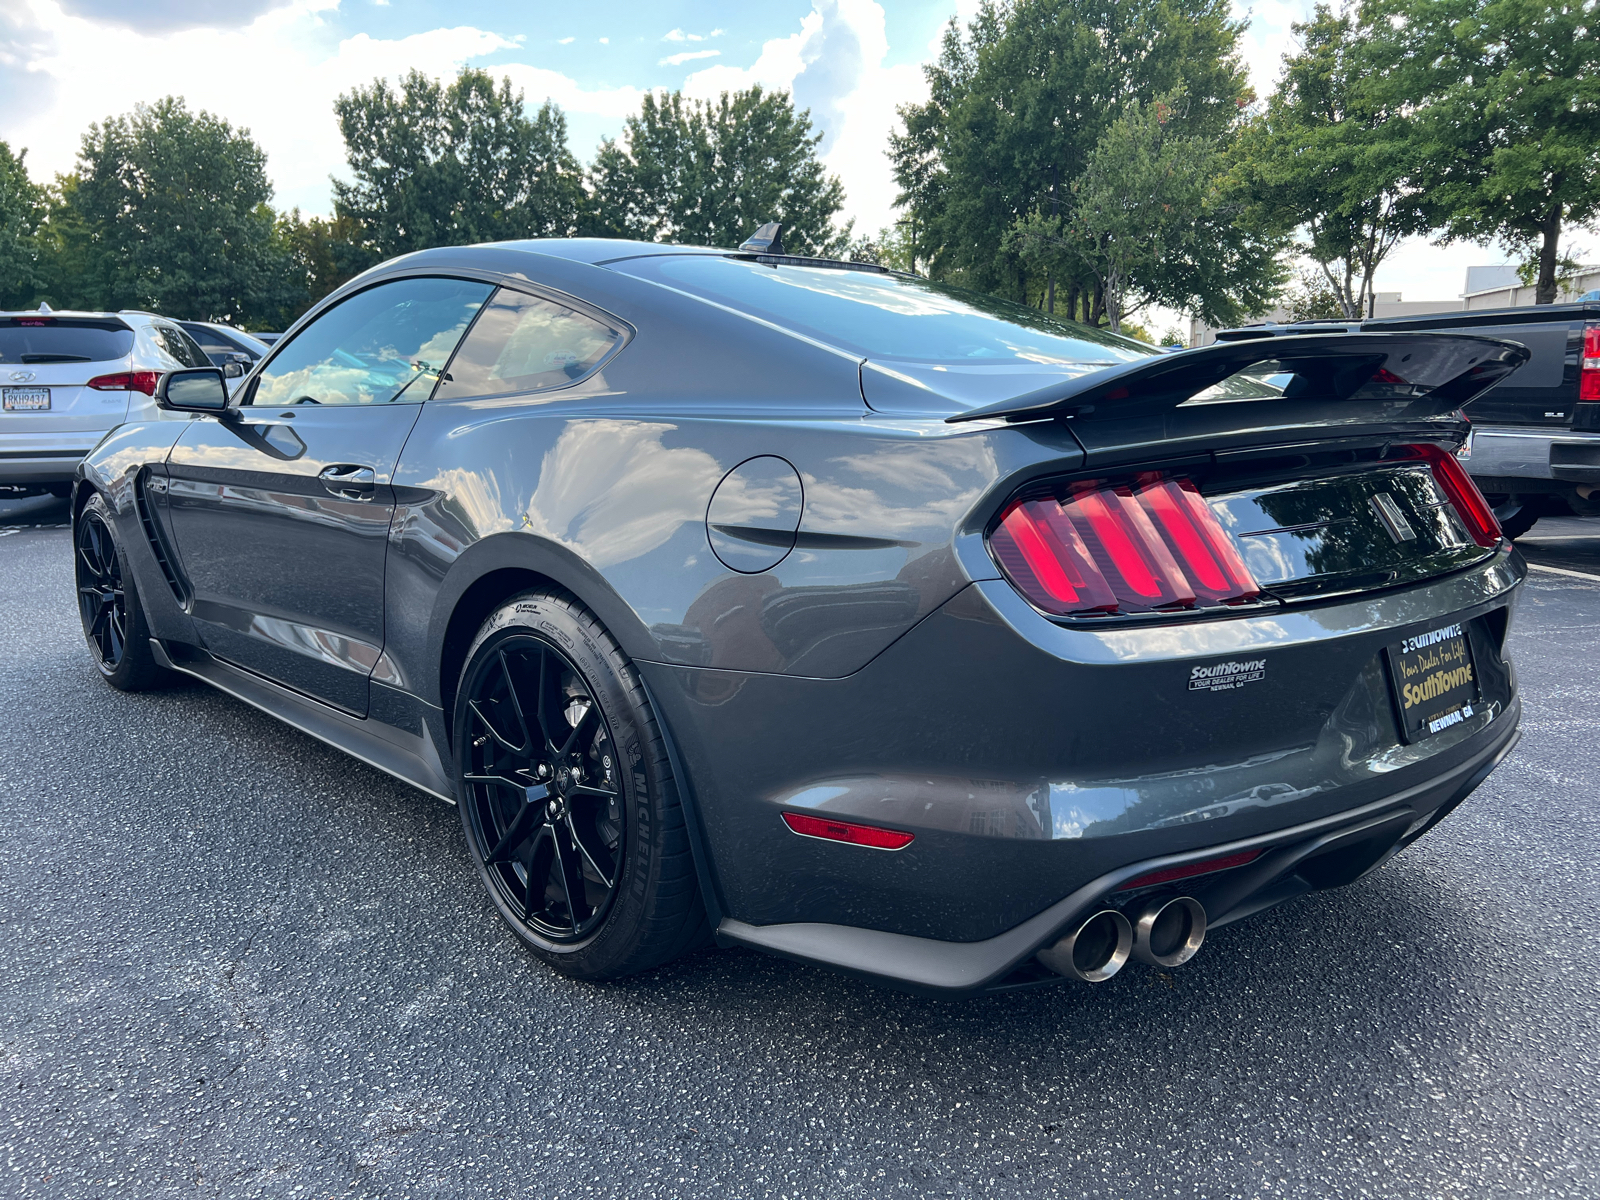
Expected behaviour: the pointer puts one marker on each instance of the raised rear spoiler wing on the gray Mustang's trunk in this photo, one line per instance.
(1441, 370)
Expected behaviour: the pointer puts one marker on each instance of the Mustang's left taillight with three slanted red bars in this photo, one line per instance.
(1137, 546)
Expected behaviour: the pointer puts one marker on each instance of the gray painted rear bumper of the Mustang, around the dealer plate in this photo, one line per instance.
(1033, 761)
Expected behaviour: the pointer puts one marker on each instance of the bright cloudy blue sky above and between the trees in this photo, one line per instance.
(276, 68)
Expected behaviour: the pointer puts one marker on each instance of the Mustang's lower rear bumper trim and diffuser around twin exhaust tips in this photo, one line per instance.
(1330, 852)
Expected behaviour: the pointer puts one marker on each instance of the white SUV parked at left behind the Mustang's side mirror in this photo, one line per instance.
(66, 378)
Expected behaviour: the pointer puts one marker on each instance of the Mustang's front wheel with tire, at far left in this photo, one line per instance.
(110, 604)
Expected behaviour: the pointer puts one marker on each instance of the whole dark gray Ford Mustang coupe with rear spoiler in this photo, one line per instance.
(817, 609)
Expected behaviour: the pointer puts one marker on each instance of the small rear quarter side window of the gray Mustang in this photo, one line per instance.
(526, 345)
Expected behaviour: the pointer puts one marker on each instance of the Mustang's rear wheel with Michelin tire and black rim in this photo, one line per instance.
(567, 799)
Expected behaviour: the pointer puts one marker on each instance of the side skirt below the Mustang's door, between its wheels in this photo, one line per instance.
(407, 758)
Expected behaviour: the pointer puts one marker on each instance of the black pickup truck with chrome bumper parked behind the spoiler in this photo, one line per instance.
(1535, 444)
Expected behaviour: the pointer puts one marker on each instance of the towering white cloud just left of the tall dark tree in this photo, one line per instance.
(834, 68)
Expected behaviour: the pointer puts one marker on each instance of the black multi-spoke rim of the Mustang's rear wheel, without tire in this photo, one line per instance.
(545, 790)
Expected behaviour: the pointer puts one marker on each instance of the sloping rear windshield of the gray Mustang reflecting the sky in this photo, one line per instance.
(889, 316)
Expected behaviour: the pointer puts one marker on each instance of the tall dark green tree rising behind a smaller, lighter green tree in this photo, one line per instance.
(1022, 102)
